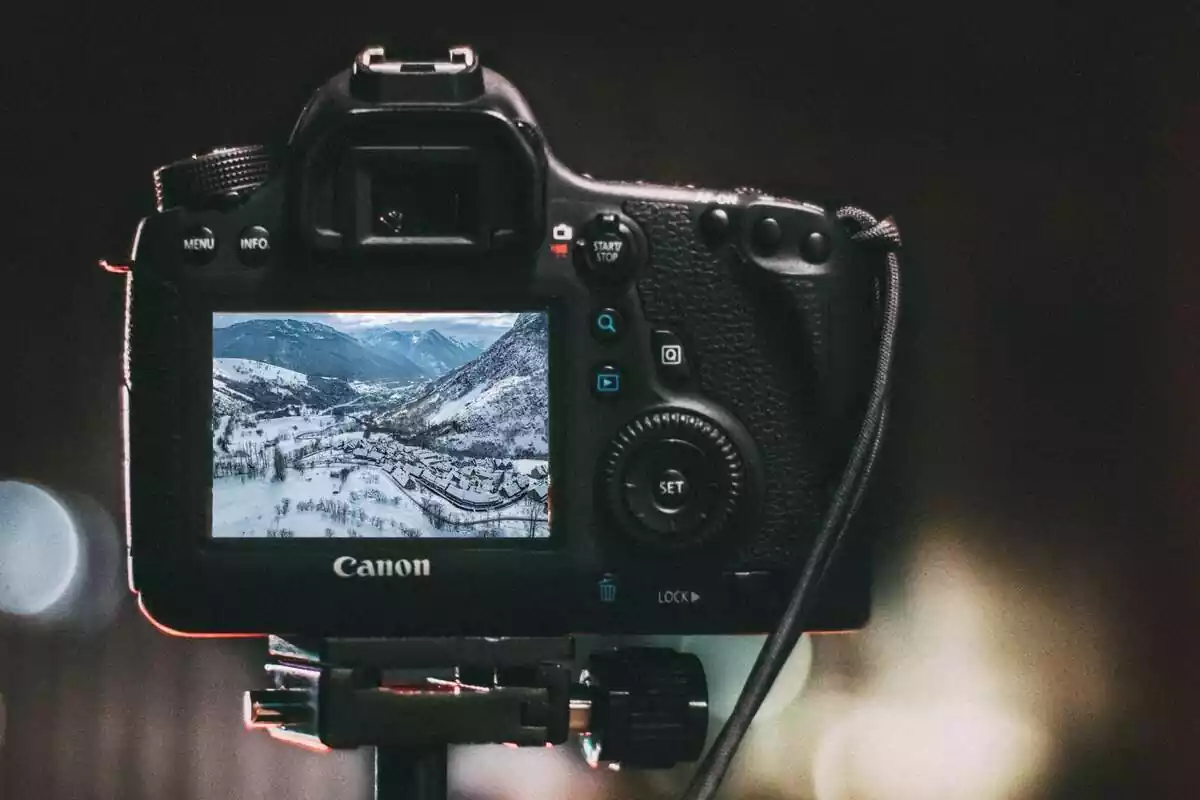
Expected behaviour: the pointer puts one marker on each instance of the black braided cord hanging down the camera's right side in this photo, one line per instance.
(779, 646)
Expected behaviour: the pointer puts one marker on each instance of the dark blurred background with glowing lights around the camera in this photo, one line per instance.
(1035, 629)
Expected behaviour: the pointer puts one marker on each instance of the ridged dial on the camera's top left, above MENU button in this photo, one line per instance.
(199, 181)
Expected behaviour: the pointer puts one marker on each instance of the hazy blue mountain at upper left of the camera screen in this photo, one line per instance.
(311, 350)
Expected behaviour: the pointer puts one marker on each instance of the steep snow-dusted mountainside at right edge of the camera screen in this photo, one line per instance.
(499, 402)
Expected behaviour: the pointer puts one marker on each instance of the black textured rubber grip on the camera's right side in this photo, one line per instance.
(761, 346)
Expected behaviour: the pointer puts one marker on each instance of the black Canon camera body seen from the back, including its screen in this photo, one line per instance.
(415, 377)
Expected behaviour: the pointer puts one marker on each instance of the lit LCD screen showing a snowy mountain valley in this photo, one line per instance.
(428, 425)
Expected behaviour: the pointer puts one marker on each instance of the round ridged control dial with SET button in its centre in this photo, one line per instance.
(673, 479)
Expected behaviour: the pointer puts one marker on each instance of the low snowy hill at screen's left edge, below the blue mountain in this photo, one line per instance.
(247, 386)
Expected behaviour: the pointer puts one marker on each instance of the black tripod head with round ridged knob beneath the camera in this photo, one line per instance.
(641, 708)
